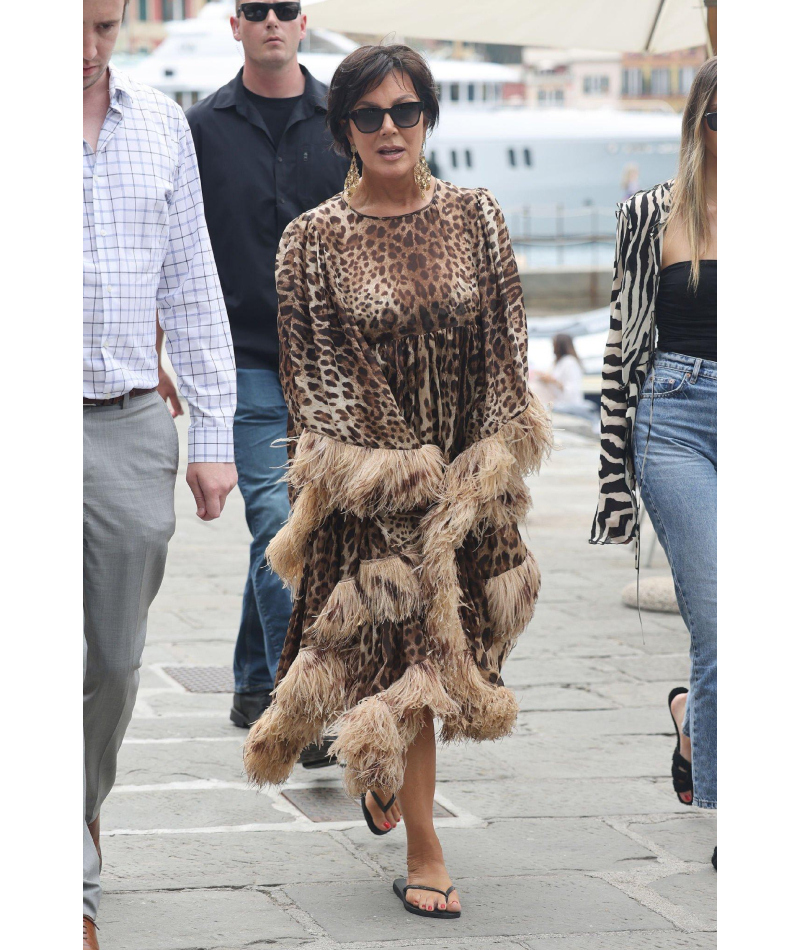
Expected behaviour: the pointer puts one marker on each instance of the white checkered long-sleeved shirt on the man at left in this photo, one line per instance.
(146, 249)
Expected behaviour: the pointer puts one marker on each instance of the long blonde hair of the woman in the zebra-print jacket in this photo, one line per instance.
(689, 190)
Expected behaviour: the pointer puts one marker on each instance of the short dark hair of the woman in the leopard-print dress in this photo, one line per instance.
(364, 69)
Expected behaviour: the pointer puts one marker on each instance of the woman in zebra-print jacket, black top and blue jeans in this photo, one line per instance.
(658, 411)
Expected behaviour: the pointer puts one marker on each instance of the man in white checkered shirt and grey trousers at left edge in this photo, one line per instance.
(145, 250)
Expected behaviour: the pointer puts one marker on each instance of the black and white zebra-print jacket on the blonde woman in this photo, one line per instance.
(628, 354)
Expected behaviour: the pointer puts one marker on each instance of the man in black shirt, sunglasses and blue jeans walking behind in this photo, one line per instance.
(265, 157)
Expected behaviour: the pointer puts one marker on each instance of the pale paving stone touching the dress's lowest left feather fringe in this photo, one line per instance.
(157, 763)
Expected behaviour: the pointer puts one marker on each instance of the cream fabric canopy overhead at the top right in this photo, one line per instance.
(657, 26)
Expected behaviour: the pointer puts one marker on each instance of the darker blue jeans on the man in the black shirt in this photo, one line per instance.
(261, 418)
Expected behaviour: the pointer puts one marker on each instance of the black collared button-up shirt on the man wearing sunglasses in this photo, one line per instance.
(252, 188)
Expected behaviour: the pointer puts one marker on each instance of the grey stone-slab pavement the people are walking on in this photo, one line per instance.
(565, 836)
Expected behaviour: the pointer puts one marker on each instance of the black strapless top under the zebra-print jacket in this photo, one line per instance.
(687, 321)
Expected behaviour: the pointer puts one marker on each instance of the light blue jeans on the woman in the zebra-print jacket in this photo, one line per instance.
(675, 450)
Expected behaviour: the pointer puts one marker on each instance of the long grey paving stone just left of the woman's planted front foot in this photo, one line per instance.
(236, 859)
